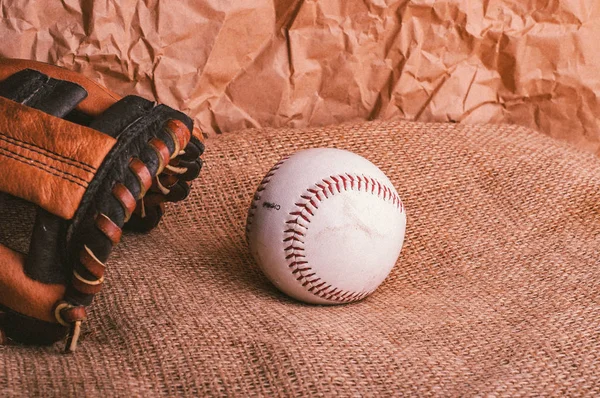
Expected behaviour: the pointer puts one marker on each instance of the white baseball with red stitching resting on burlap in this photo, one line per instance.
(326, 226)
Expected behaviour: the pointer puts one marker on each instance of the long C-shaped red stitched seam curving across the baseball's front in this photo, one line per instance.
(305, 210)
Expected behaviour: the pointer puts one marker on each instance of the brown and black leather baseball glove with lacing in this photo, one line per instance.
(90, 163)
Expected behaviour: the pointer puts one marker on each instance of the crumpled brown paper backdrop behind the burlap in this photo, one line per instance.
(237, 64)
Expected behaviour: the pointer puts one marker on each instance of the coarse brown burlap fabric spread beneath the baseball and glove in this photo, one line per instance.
(496, 290)
